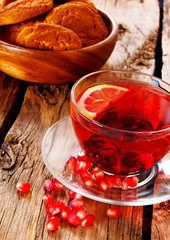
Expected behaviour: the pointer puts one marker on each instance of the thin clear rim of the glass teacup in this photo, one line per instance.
(111, 129)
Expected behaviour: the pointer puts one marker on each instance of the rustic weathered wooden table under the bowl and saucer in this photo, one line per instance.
(27, 110)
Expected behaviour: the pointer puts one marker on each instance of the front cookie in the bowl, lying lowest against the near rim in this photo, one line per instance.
(49, 37)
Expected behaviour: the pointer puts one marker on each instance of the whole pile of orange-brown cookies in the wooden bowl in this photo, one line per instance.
(43, 24)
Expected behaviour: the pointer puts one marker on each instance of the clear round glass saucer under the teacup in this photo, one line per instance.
(60, 142)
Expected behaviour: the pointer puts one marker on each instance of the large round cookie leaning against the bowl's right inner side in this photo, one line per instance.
(81, 19)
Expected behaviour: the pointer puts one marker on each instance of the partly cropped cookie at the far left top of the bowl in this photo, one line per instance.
(21, 10)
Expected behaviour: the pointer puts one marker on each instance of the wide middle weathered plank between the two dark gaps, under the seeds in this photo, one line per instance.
(22, 216)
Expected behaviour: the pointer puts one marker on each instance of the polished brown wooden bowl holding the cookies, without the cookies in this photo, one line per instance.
(54, 67)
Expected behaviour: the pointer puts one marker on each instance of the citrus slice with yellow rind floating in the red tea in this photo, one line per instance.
(97, 99)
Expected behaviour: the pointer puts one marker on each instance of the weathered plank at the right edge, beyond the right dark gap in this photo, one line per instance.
(161, 212)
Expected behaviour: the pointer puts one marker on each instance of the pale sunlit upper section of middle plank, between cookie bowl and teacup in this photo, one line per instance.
(138, 32)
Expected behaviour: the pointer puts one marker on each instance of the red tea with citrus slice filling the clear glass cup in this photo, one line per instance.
(123, 135)
